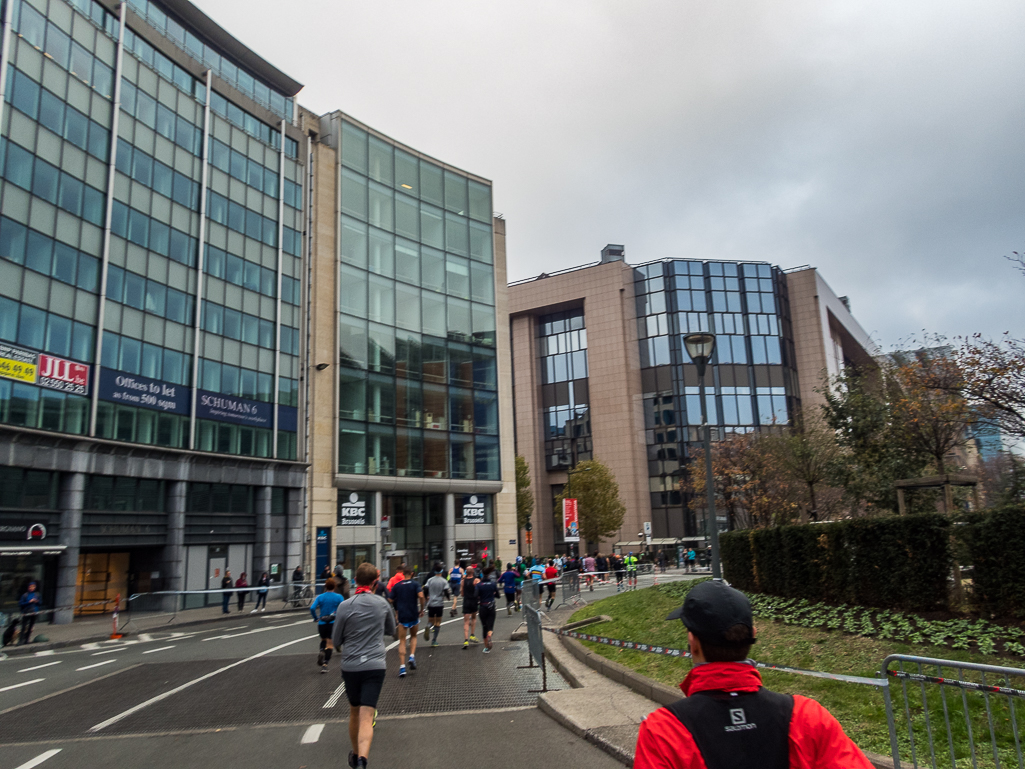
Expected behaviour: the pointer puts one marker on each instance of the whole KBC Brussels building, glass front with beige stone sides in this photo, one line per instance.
(412, 437)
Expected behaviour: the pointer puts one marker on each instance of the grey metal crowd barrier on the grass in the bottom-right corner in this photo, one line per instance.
(954, 714)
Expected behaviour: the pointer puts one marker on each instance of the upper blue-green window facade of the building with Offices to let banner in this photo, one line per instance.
(142, 373)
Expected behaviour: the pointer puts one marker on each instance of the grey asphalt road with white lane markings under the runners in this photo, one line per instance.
(249, 694)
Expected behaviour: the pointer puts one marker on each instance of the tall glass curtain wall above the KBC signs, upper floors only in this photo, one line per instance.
(417, 316)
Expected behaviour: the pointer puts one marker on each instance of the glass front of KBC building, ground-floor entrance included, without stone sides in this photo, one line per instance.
(418, 438)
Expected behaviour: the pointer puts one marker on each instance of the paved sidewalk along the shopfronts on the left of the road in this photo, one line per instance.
(100, 628)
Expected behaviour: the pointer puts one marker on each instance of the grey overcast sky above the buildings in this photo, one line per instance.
(881, 142)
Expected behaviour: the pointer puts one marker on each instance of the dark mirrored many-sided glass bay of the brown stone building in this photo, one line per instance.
(751, 385)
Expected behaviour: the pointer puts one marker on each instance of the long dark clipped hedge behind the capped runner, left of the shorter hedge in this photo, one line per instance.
(890, 563)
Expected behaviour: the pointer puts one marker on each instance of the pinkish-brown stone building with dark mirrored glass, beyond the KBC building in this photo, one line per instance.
(600, 371)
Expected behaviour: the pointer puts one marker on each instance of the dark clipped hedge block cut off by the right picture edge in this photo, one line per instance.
(997, 546)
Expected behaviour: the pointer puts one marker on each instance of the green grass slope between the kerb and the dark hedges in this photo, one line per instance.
(640, 617)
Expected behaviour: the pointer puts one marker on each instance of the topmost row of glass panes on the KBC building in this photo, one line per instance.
(414, 177)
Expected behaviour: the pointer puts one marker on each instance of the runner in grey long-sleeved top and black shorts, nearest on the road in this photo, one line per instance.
(360, 627)
